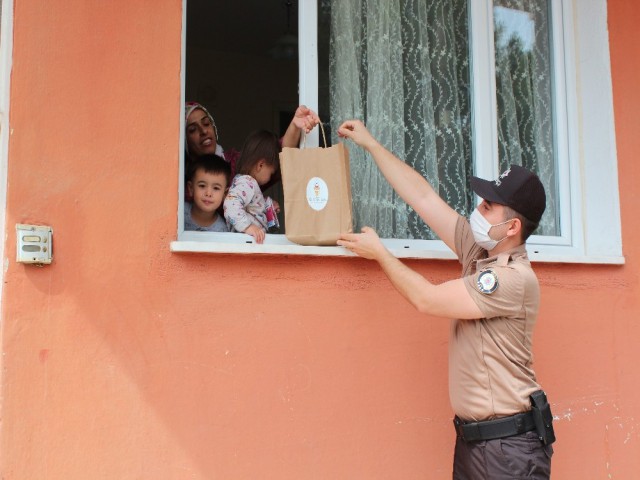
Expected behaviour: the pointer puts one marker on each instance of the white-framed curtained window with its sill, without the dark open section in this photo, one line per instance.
(459, 88)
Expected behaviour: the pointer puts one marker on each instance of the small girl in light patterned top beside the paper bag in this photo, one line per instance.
(245, 207)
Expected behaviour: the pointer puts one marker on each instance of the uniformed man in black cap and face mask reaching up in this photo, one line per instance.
(502, 419)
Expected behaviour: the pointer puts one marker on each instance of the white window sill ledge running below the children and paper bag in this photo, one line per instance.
(237, 243)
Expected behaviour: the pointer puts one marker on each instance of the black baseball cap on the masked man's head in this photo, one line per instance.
(517, 188)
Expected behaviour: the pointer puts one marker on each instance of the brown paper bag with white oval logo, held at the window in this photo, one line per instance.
(316, 183)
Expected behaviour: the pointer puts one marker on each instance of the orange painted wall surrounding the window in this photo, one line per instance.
(124, 361)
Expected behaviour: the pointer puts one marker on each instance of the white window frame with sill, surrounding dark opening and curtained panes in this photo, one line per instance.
(585, 140)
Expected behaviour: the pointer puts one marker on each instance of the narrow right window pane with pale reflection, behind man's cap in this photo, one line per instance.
(523, 65)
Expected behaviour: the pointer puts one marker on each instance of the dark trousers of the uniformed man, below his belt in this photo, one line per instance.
(513, 458)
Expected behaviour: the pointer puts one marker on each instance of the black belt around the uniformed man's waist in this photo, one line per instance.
(492, 429)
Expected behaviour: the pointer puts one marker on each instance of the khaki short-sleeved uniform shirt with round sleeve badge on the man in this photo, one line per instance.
(490, 359)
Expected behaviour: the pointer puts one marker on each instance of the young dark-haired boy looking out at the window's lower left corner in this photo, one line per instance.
(207, 184)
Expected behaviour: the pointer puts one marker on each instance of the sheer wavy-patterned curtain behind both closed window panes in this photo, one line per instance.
(403, 67)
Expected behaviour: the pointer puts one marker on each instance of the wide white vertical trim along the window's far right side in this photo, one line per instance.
(597, 169)
